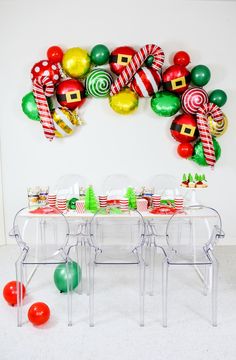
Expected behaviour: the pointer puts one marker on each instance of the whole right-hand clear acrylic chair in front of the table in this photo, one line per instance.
(190, 239)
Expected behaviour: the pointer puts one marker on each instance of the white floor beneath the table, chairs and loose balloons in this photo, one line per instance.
(116, 334)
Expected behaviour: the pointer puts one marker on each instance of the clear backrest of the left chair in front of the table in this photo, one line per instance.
(42, 235)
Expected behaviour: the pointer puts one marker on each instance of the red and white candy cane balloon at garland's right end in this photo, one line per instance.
(203, 113)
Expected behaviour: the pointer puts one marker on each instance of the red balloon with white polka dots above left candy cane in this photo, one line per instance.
(47, 69)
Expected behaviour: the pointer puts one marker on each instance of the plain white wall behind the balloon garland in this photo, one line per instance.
(139, 145)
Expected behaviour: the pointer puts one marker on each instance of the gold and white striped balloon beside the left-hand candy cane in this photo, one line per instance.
(65, 121)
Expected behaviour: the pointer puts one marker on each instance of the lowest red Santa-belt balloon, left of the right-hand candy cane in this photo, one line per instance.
(184, 128)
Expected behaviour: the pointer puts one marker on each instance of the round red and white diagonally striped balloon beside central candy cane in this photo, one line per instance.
(146, 82)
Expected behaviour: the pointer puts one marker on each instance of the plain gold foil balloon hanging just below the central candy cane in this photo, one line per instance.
(125, 102)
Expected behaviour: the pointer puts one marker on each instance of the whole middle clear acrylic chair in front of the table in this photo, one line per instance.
(129, 229)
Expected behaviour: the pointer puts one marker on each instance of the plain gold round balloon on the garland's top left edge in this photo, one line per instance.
(76, 62)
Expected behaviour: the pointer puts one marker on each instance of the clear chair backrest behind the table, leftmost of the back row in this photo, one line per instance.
(69, 185)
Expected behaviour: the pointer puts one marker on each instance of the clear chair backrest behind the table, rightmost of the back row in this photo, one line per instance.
(164, 185)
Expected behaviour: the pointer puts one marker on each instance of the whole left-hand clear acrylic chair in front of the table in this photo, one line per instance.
(43, 240)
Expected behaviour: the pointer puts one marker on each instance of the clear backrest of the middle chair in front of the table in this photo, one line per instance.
(122, 233)
